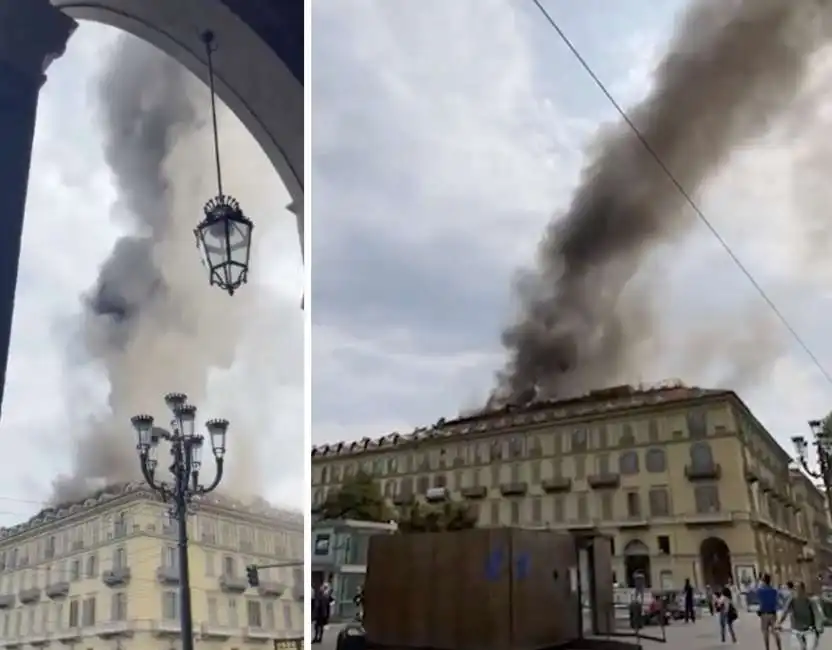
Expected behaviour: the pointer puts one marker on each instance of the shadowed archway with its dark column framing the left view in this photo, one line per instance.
(259, 76)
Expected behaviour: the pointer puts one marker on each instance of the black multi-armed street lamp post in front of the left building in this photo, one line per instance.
(186, 454)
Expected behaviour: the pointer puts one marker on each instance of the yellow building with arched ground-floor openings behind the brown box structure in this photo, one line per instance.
(685, 481)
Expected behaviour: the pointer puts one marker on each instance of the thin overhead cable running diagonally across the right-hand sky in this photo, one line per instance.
(680, 188)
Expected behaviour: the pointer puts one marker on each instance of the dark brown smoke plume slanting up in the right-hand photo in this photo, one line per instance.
(732, 67)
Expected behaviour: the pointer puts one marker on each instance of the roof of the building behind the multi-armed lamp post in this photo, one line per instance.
(119, 491)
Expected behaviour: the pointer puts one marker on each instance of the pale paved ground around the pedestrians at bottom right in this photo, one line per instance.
(702, 635)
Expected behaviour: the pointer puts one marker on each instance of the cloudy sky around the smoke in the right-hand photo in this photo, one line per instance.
(447, 134)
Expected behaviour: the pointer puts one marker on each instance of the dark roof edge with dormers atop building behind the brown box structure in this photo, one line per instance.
(597, 404)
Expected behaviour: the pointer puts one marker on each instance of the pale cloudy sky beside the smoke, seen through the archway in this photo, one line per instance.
(68, 233)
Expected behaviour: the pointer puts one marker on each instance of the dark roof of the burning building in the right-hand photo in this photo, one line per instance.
(593, 404)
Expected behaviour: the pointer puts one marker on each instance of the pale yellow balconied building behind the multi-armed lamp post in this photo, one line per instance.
(103, 573)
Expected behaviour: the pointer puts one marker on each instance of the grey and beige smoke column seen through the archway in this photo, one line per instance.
(150, 320)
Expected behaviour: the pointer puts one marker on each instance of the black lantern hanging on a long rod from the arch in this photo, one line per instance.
(224, 235)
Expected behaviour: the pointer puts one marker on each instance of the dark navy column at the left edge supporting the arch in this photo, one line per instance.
(32, 34)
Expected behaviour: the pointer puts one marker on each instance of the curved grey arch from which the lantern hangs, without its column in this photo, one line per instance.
(258, 64)
